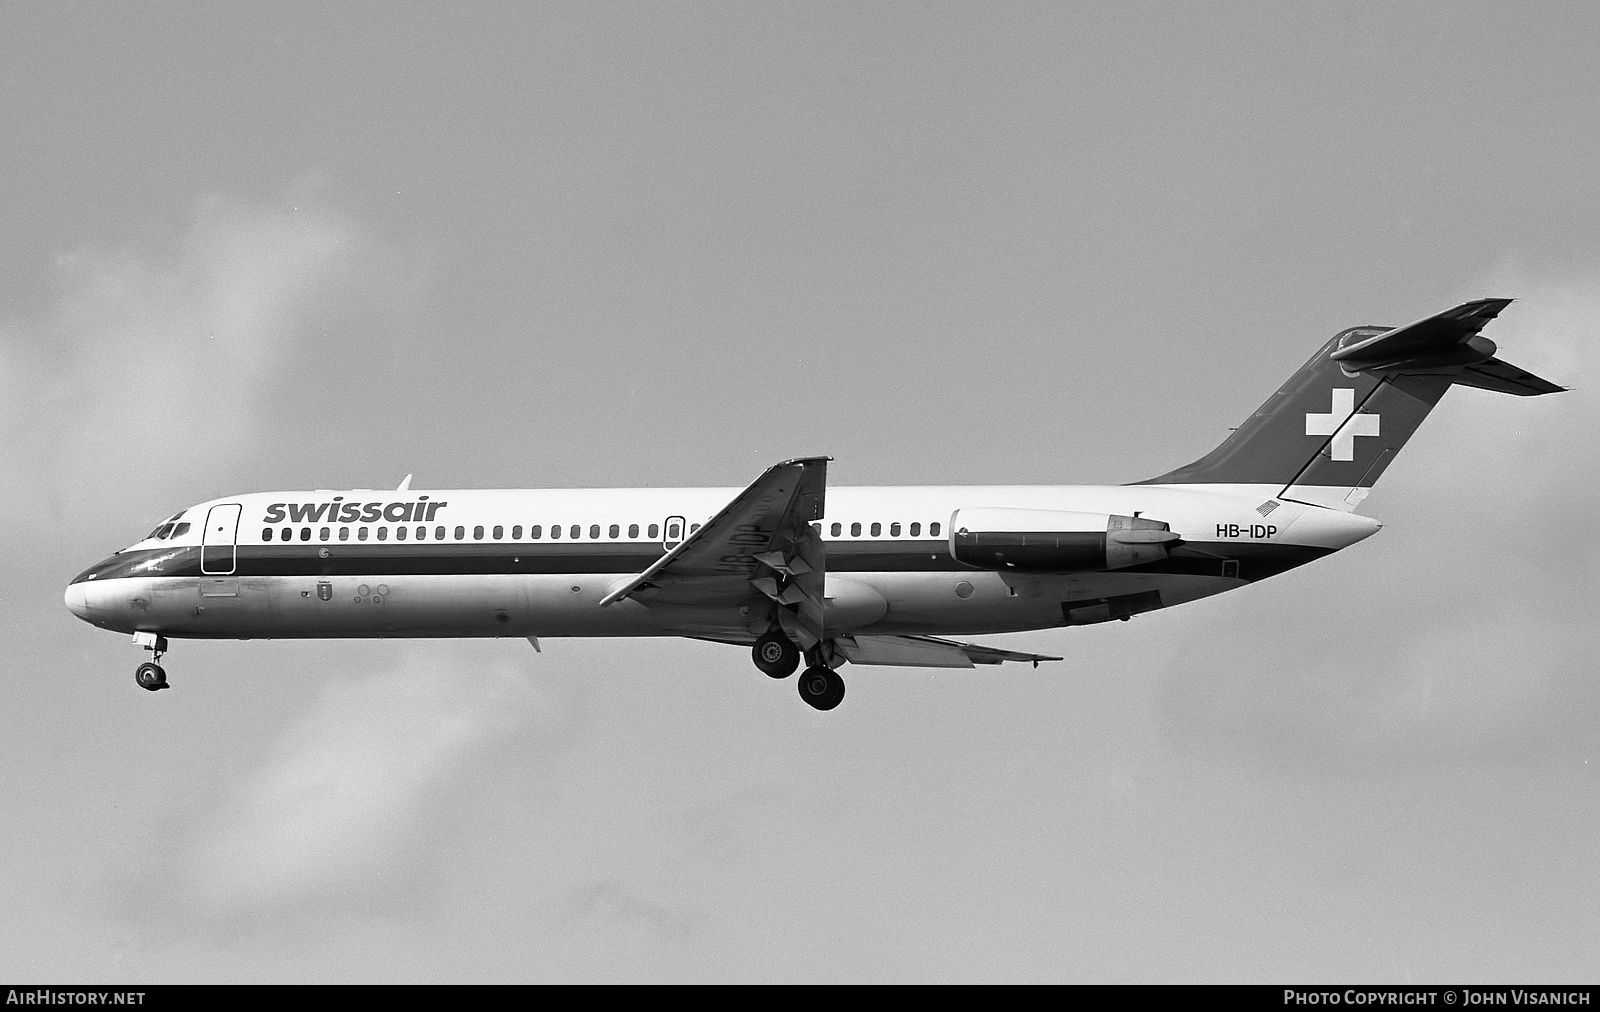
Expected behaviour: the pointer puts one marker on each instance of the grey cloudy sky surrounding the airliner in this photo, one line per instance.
(582, 246)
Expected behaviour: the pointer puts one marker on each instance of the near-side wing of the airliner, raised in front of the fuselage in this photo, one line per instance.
(762, 540)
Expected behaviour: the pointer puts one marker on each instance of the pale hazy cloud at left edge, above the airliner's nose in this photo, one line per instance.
(156, 358)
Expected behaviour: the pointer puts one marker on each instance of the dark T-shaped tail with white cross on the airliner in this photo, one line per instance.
(1337, 425)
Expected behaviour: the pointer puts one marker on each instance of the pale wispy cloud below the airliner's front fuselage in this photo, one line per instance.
(356, 803)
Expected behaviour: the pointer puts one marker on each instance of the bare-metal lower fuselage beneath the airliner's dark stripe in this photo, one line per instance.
(553, 606)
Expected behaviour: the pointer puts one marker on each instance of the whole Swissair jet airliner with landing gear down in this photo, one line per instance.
(798, 571)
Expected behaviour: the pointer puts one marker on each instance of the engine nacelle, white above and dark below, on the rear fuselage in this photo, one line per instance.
(1055, 540)
